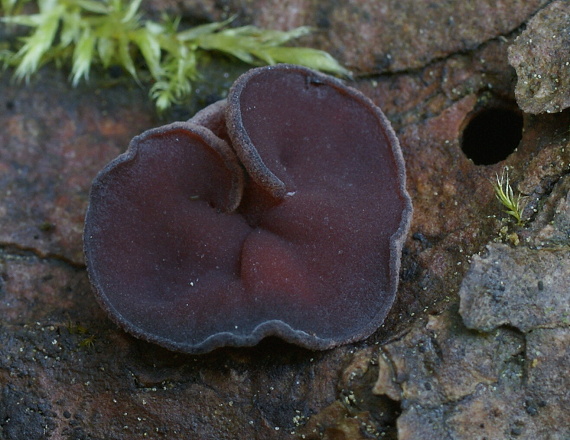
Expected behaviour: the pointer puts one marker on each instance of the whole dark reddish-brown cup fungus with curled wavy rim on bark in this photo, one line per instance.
(280, 211)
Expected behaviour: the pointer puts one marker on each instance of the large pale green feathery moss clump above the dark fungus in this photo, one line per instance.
(84, 33)
